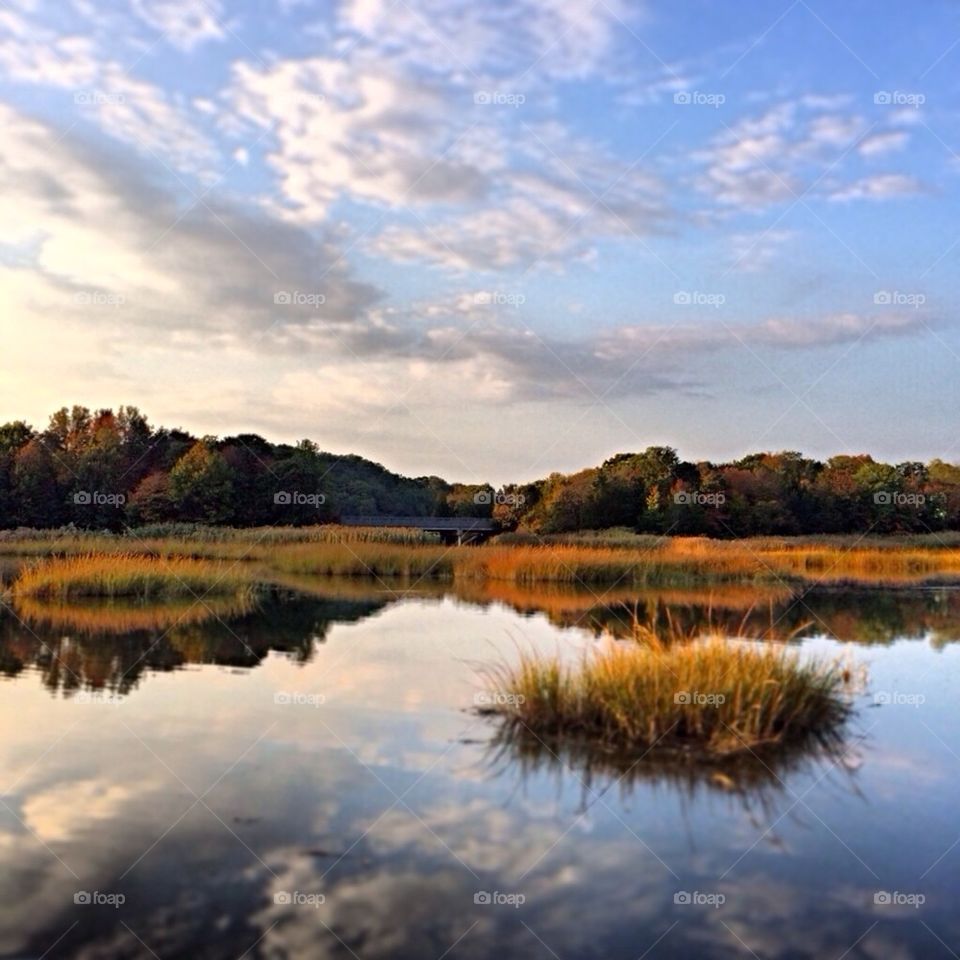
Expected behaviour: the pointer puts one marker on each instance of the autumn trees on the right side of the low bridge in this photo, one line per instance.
(762, 494)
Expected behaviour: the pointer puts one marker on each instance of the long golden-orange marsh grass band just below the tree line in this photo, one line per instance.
(385, 554)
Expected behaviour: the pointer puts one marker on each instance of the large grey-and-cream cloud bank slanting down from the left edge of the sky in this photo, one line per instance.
(110, 248)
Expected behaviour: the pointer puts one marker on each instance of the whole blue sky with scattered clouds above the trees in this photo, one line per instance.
(487, 241)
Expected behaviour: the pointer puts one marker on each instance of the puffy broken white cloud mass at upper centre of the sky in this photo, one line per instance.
(490, 189)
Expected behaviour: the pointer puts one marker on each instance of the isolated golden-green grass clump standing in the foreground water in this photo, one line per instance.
(708, 699)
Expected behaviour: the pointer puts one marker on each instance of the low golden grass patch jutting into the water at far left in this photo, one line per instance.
(124, 575)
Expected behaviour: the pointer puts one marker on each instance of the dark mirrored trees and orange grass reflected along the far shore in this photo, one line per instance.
(114, 645)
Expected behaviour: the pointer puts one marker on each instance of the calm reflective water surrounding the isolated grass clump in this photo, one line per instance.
(310, 780)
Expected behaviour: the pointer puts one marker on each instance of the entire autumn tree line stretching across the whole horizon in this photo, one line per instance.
(111, 469)
